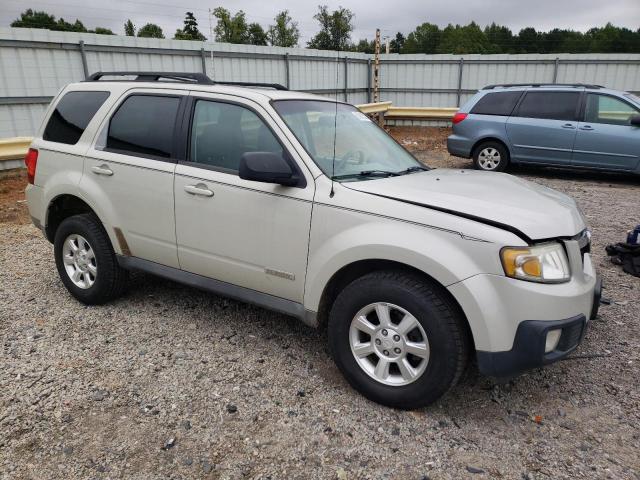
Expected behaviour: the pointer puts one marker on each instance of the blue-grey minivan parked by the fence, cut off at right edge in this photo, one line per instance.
(575, 126)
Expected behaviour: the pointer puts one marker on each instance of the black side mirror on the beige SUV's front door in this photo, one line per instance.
(267, 167)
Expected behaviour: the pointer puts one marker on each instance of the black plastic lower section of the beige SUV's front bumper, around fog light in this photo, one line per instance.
(529, 347)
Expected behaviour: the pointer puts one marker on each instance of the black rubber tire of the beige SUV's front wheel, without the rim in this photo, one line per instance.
(436, 313)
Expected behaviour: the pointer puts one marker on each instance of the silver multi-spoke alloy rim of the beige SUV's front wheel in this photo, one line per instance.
(389, 344)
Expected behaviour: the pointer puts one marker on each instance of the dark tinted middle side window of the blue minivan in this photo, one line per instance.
(549, 105)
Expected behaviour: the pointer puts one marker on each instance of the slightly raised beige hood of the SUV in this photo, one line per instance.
(530, 210)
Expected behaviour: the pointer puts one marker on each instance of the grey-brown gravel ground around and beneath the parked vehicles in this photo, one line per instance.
(171, 382)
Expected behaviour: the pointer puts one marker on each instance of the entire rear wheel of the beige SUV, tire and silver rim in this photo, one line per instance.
(86, 261)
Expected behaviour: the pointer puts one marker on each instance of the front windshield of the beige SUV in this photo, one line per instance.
(362, 149)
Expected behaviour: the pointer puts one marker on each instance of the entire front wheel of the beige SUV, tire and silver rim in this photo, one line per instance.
(398, 339)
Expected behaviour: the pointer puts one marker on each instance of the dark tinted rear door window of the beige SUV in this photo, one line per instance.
(144, 126)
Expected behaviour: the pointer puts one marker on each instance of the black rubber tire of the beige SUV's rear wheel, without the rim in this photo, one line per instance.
(111, 280)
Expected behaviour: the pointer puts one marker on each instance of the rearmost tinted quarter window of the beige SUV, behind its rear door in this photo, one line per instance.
(71, 116)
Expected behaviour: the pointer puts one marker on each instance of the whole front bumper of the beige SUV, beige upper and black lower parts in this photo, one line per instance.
(500, 312)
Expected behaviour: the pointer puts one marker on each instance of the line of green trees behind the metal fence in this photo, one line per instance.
(335, 28)
